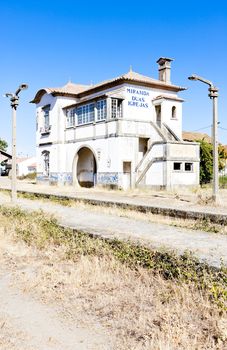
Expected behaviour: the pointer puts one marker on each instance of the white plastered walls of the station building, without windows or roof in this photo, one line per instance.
(115, 141)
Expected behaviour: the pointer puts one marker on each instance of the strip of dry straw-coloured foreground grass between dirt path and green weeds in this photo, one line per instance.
(141, 309)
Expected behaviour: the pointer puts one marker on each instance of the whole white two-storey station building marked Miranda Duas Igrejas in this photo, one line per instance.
(125, 132)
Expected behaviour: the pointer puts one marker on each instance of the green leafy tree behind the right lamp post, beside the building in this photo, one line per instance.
(206, 160)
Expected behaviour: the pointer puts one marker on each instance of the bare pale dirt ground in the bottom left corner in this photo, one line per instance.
(27, 320)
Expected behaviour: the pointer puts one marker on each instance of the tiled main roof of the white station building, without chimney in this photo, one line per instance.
(78, 90)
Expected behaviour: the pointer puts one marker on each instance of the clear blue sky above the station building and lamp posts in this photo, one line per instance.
(47, 42)
